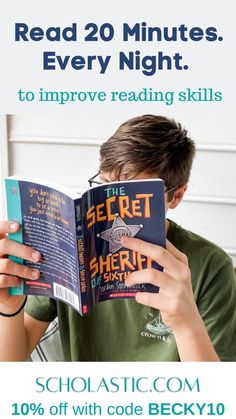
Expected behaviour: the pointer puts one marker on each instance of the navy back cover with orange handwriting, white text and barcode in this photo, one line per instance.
(48, 225)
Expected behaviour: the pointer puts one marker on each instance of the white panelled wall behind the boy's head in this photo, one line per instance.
(65, 149)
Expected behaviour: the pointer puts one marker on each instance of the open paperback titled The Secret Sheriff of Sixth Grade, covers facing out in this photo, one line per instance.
(78, 235)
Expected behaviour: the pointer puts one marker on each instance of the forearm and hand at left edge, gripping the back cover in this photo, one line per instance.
(18, 334)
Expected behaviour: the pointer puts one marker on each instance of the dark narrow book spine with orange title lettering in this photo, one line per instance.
(83, 285)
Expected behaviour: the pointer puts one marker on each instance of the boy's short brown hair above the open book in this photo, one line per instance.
(153, 144)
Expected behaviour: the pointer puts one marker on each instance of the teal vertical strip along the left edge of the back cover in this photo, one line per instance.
(14, 214)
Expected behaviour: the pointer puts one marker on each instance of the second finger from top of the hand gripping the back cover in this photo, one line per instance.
(10, 247)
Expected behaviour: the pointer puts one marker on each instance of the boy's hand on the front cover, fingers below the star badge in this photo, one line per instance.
(175, 299)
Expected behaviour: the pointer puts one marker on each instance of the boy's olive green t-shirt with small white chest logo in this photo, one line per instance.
(123, 330)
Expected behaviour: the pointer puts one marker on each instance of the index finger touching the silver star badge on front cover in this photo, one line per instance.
(153, 251)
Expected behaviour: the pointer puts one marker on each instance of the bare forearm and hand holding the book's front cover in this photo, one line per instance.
(175, 299)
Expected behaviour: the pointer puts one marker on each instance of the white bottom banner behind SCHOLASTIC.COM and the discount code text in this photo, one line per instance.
(211, 380)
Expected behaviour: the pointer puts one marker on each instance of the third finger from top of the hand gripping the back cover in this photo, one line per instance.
(7, 266)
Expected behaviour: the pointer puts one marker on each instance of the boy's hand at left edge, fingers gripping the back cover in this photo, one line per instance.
(11, 272)
